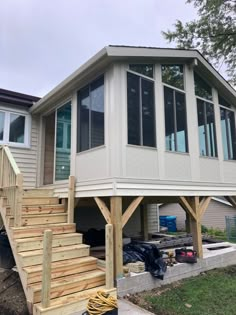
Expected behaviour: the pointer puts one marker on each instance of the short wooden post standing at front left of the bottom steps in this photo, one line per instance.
(46, 275)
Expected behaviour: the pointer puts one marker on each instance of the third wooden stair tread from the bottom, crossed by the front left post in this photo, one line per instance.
(61, 263)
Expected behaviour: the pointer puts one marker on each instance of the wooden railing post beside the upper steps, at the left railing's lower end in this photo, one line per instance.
(18, 200)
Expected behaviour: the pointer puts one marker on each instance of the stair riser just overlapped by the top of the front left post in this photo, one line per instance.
(38, 231)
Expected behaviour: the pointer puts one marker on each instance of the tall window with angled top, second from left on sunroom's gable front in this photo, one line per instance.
(176, 135)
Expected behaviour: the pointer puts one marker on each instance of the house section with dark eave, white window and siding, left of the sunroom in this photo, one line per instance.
(19, 130)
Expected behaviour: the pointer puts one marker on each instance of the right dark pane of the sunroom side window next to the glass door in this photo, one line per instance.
(97, 112)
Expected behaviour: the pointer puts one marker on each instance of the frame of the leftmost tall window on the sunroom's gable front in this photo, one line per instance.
(142, 76)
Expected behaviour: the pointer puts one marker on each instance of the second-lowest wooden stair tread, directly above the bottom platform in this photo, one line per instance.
(70, 279)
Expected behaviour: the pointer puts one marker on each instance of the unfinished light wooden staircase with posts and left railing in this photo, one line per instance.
(72, 275)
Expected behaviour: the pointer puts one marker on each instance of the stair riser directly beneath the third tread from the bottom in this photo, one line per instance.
(62, 272)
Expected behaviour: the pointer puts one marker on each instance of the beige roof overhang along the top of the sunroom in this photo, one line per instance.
(112, 54)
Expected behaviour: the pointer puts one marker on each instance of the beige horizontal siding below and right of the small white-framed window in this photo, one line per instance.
(26, 158)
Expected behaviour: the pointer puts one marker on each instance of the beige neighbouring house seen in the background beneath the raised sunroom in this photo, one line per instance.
(214, 217)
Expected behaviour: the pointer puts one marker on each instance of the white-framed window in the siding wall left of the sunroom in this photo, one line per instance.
(14, 128)
